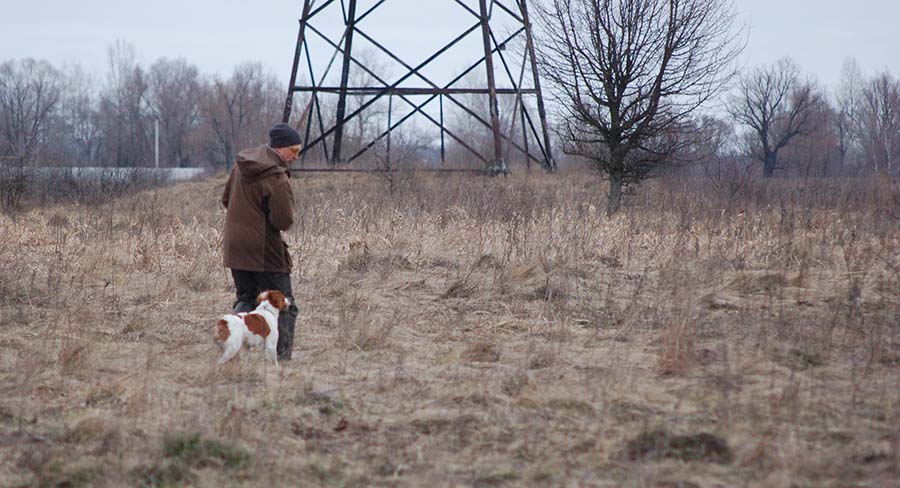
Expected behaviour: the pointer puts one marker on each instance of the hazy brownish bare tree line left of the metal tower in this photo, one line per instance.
(67, 117)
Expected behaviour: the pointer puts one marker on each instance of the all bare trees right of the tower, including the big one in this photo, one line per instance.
(635, 84)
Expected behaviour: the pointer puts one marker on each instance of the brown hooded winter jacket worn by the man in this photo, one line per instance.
(260, 204)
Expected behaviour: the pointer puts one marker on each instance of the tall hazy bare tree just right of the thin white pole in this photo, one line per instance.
(174, 89)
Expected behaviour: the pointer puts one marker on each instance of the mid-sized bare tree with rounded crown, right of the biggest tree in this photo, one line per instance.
(776, 104)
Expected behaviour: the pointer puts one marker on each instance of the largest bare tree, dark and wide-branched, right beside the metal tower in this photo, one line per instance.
(625, 72)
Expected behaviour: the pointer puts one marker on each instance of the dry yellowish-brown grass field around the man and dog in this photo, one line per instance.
(464, 332)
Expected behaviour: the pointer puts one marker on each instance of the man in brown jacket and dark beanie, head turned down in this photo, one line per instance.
(259, 205)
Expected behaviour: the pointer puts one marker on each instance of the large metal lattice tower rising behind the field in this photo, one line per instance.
(411, 86)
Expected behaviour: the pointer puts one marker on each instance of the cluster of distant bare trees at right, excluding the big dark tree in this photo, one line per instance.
(793, 125)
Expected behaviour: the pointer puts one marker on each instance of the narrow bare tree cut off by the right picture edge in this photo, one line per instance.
(880, 122)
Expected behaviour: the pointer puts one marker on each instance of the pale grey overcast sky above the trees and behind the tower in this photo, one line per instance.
(217, 35)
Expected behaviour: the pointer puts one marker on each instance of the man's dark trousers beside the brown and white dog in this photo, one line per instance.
(250, 284)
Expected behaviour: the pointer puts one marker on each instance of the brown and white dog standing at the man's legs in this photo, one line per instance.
(255, 328)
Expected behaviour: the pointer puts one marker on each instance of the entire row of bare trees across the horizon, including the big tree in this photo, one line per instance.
(628, 78)
